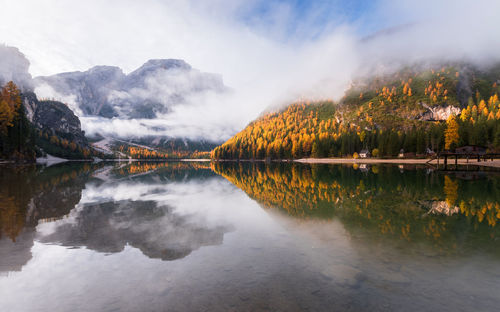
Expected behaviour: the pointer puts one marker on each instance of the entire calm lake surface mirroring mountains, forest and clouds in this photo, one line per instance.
(248, 237)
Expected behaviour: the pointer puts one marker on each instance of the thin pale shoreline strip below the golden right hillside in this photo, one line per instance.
(451, 162)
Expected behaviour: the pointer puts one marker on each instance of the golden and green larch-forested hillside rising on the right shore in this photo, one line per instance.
(428, 109)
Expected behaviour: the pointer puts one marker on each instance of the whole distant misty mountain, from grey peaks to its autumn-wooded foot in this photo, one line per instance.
(105, 94)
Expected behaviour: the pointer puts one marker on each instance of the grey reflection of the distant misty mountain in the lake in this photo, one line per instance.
(155, 230)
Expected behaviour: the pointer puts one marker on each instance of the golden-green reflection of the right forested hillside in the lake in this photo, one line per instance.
(455, 212)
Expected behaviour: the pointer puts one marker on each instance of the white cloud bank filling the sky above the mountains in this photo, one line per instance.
(262, 67)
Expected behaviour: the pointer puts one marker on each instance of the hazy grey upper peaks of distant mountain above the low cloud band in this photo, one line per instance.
(147, 92)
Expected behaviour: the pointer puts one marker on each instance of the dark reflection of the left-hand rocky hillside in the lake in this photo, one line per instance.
(29, 195)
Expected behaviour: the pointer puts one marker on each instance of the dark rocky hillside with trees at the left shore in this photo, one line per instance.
(31, 128)
